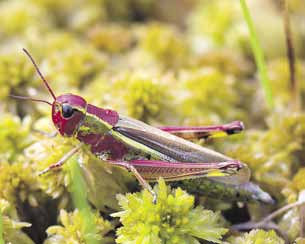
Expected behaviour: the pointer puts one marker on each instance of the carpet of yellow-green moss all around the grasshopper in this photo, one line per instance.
(171, 62)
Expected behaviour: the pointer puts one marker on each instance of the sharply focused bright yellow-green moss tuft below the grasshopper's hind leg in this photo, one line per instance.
(173, 219)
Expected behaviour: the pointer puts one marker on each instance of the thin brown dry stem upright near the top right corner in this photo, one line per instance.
(291, 57)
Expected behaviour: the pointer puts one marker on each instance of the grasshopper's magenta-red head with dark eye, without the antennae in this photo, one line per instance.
(68, 111)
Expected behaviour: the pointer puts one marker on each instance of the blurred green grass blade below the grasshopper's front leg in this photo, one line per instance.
(79, 196)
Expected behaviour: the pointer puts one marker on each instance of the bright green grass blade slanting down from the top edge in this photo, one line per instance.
(258, 55)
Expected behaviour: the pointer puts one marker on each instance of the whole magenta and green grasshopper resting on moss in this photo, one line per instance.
(149, 152)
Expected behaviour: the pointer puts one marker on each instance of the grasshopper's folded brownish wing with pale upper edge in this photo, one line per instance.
(174, 149)
